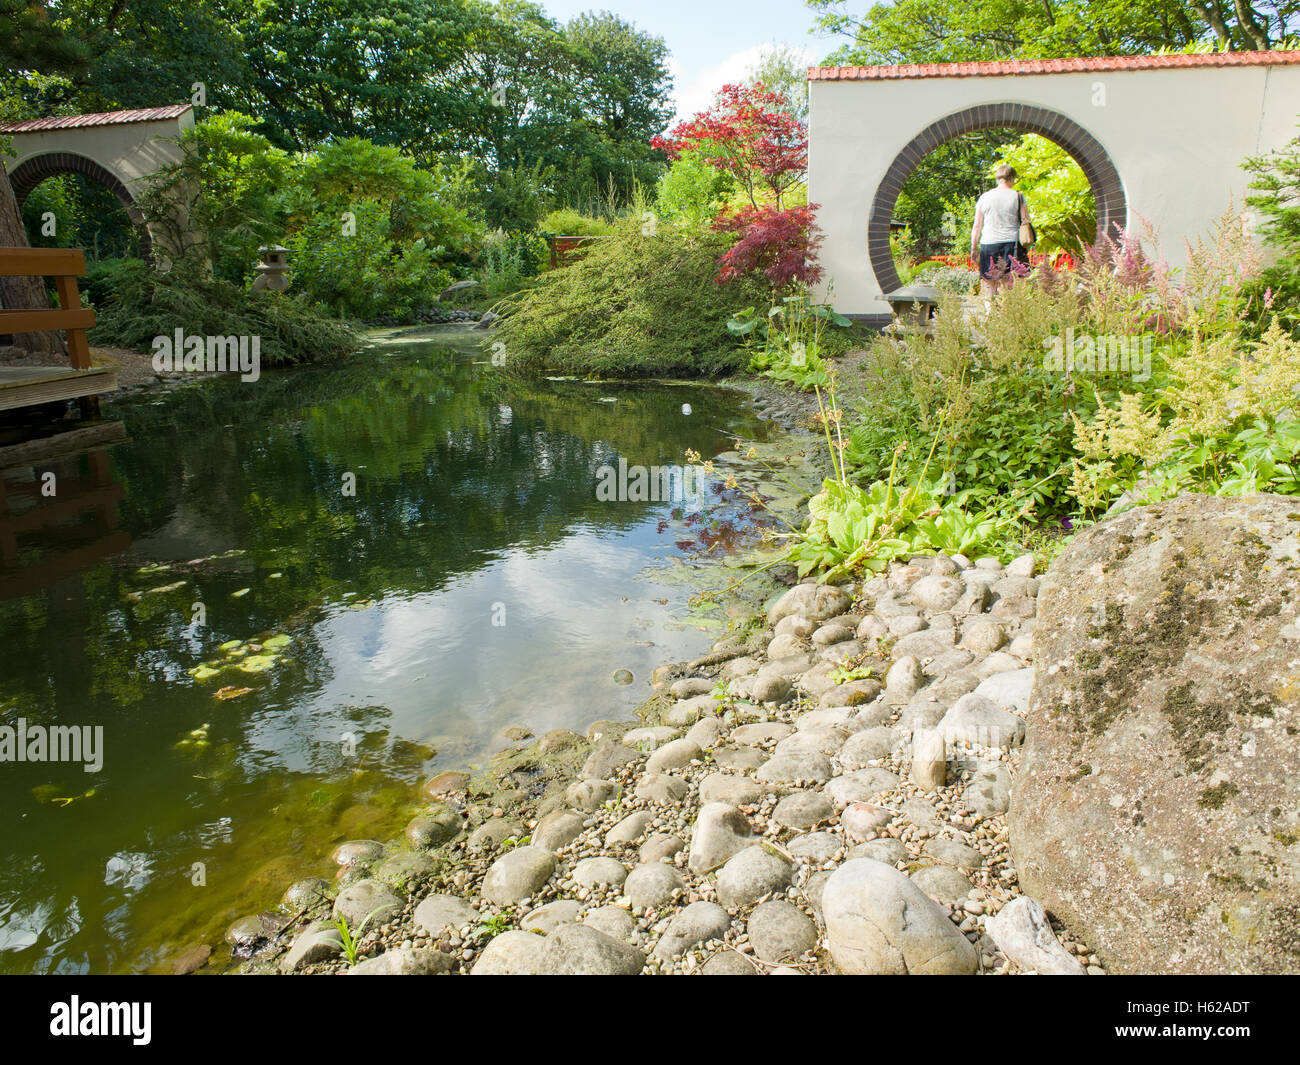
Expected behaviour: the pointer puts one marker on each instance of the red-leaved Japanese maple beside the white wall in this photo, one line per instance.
(749, 136)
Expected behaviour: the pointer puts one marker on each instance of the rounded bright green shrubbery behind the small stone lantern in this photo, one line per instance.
(371, 233)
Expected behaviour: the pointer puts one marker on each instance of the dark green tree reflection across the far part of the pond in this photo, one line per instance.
(453, 465)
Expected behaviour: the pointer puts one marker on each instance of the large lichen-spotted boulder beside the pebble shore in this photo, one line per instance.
(1158, 808)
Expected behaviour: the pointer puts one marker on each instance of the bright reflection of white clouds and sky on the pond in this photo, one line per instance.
(453, 678)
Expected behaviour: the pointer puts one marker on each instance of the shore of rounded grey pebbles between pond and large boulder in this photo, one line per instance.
(701, 835)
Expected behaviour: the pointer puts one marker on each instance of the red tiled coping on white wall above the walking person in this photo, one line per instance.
(1078, 66)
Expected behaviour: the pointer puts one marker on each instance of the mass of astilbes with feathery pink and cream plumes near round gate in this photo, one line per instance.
(1071, 444)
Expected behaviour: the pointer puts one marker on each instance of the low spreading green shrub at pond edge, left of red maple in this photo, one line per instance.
(634, 306)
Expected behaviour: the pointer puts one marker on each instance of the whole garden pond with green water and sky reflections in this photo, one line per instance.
(281, 605)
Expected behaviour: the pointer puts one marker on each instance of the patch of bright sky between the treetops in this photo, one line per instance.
(713, 42)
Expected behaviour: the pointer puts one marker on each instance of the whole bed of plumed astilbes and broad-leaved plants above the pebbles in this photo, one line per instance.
(970, 436)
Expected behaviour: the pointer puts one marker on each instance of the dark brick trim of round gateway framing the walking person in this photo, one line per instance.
(1108, 191)
